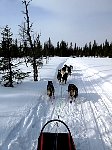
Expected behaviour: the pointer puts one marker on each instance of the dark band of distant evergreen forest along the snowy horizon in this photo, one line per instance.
(63, 49)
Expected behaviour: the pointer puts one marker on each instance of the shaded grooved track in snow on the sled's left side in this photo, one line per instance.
(17, 135)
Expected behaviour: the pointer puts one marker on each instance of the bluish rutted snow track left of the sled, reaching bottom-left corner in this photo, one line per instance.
(25, 128)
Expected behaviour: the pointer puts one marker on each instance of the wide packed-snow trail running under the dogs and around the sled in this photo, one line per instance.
(89, 118)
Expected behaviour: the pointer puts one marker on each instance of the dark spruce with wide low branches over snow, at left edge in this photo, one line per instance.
(9, 71)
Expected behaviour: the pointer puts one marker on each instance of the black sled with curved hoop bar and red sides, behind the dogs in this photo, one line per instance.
(55, 140)
